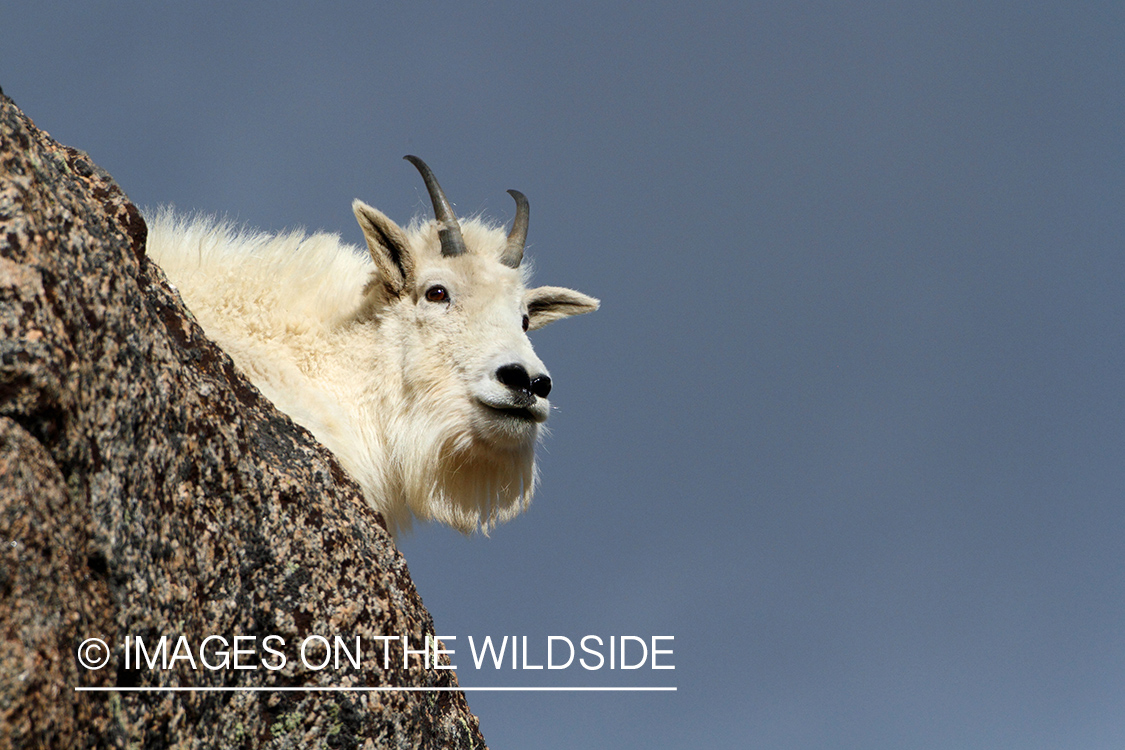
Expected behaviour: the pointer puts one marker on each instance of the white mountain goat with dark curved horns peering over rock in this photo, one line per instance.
(411, 363)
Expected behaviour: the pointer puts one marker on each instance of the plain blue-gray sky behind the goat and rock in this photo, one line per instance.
(850, 422)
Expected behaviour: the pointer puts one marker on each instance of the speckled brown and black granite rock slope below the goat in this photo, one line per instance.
(148, 490)
